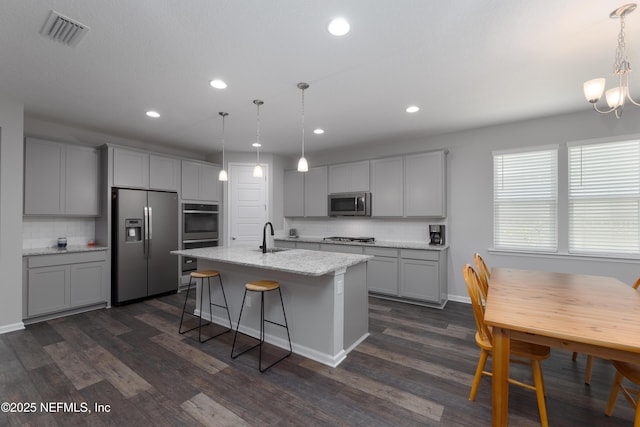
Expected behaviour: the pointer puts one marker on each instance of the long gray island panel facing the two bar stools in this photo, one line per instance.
(310, 303)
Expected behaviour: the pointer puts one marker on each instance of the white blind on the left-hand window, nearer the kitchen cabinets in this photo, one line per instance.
(525, 200)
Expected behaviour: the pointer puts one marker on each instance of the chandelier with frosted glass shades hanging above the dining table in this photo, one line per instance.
(616, 96)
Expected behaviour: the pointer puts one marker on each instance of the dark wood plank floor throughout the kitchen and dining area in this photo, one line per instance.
(415, 369)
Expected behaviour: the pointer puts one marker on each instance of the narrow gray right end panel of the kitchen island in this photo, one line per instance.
(356, 306)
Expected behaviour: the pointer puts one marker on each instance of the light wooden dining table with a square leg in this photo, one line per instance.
(589, 314)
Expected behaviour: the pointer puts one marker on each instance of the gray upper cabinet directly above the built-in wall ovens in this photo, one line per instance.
(200, 181)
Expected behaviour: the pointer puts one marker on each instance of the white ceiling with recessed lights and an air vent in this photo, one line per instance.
(466, 63)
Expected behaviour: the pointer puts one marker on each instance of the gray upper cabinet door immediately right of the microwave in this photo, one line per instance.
(387, 187)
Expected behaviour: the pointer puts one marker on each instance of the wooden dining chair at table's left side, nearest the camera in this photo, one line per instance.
(521, 352)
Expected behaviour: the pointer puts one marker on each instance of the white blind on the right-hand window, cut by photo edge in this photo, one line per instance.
(604, 198)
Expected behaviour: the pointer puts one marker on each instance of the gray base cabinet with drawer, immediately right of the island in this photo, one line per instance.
(382, 270)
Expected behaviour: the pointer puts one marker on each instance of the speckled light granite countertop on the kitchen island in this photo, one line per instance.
(298, 261)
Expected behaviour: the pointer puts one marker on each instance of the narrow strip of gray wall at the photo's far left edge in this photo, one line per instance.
(11, 178)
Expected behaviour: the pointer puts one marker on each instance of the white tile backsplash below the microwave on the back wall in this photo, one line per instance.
(382, 229)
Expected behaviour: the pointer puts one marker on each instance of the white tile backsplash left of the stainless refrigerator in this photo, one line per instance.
(44, 232)
